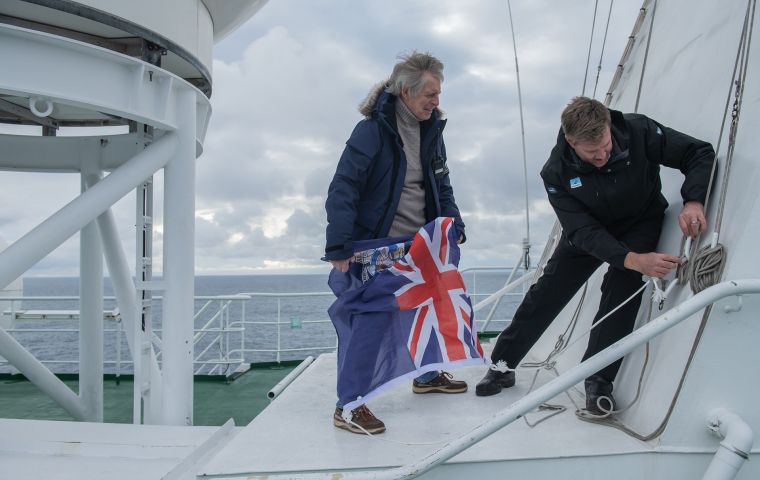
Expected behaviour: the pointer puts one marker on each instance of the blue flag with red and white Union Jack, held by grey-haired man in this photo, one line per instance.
(401, 310)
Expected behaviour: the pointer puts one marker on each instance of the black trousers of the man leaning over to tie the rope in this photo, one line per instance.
(566, 271)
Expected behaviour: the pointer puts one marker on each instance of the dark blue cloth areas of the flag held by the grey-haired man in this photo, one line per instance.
(373, 333)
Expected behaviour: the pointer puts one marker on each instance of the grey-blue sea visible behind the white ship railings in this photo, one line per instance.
(303, 327)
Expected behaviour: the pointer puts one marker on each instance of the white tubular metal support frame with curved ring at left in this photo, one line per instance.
(90, 78)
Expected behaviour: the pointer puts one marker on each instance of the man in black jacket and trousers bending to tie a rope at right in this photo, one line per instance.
(603, 181)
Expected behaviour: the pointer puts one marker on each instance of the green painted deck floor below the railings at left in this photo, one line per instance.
(215, 401)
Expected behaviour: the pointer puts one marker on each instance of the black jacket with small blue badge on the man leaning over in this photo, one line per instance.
(596, 205)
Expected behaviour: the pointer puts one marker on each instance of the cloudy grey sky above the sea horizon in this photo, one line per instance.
(286, 86)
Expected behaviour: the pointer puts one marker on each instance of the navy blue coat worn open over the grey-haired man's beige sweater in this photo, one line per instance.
(364, 193)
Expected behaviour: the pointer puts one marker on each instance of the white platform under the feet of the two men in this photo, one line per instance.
(295, 433)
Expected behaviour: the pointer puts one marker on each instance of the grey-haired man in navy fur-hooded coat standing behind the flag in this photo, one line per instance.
(391, 180)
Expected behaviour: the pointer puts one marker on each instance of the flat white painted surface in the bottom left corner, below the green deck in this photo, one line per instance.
(33, 449)
